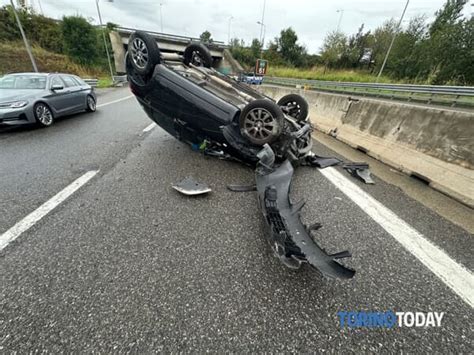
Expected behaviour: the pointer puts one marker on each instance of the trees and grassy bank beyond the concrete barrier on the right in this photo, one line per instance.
(440, 52)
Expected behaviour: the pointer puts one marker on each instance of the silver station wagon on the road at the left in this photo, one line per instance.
(40, 98)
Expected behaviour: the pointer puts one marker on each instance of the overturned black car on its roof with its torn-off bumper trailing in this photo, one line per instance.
(222, 117)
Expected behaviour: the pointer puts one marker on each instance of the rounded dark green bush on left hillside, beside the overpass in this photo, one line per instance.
(80, 40)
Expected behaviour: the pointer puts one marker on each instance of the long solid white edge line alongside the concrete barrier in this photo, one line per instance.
(453, 274)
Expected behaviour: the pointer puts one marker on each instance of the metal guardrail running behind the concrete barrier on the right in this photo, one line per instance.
(436, 94)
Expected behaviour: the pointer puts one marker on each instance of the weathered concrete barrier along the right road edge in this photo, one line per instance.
(434, 144)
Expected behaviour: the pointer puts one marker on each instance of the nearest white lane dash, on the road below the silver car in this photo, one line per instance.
(30, 220)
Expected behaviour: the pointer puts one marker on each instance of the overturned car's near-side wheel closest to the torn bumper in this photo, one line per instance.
(261, 121)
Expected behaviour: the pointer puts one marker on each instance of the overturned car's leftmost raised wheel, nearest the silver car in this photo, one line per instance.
(143, 52)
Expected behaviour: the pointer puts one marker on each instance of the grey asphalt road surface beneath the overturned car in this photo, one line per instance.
(124, 263)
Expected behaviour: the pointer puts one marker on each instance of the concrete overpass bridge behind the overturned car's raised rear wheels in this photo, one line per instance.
(223, 60)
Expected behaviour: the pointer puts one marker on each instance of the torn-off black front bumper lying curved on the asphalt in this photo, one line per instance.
(289, 237)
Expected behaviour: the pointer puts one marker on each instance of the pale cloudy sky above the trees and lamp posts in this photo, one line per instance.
(311, 19)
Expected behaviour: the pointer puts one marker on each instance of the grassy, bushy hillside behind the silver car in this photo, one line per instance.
(71, 45)
